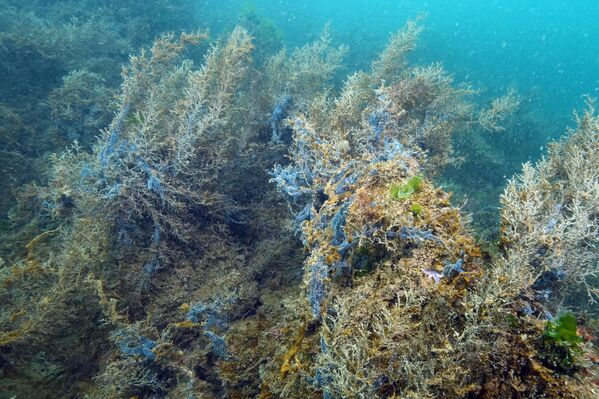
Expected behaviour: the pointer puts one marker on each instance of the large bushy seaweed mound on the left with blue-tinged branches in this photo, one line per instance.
(160, 205)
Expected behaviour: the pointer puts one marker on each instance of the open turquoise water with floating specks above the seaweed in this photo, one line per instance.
(547, 50)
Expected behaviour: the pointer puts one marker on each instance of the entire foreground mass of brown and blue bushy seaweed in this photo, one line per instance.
(166, 262)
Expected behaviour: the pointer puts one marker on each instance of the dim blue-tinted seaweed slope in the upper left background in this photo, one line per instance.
(60, 63)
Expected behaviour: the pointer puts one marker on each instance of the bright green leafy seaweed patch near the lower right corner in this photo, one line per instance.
(561, 343)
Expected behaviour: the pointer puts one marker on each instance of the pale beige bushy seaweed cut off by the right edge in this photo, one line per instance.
(550, 222)
